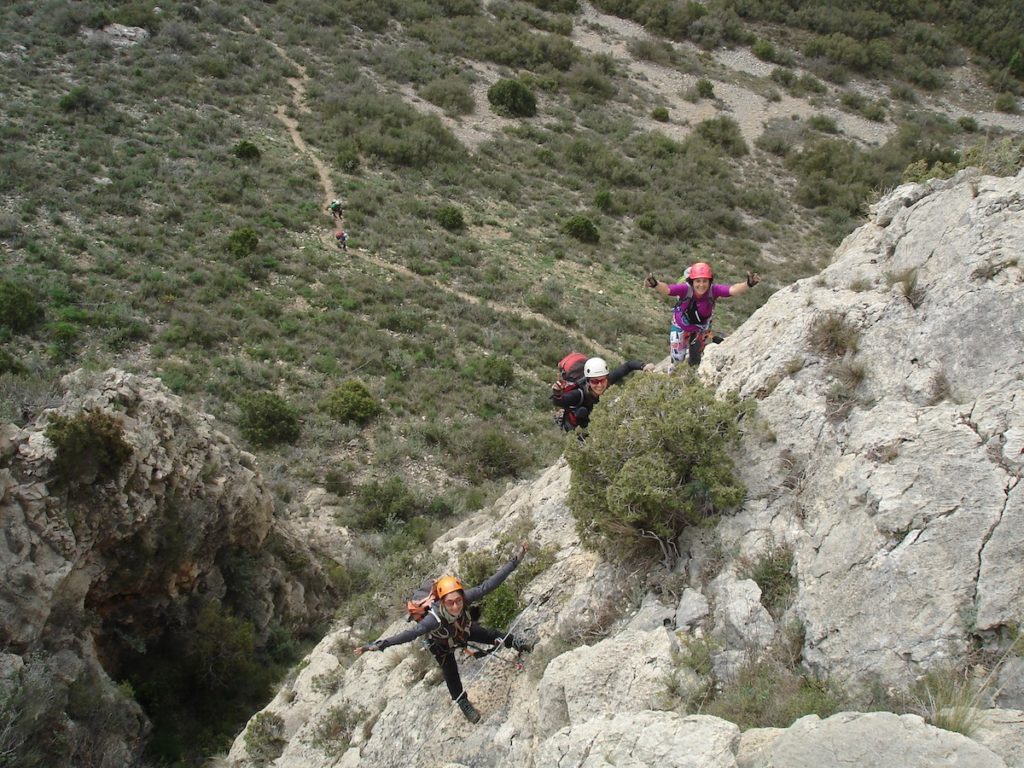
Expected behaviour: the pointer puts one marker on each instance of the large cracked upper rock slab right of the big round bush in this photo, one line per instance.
(894, 472)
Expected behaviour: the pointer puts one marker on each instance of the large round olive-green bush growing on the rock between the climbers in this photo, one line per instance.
(641, 479)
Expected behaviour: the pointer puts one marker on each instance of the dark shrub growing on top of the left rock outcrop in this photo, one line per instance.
(90, 448)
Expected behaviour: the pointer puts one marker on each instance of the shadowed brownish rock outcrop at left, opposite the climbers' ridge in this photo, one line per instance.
(113, 539)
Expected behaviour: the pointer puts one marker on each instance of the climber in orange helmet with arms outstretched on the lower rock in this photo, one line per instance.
(448, 625)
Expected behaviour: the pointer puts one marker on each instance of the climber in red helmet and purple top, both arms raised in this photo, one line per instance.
(693, 315)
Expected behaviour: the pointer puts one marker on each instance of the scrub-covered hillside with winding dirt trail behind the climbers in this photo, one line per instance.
(162, 209)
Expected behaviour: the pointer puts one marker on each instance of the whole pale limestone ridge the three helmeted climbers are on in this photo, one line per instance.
(885, 458)
